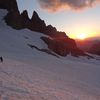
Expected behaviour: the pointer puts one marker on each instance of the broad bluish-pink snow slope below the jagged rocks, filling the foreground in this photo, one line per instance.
(29, 74)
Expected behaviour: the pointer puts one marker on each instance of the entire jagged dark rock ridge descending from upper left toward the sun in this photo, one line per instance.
(60, 42)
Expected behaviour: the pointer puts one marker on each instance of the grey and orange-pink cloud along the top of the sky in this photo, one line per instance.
(56, 5)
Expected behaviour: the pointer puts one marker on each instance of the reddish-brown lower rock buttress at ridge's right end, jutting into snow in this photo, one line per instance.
(63, 46)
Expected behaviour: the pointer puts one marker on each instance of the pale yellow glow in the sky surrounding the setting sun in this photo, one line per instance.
(83, 30)
